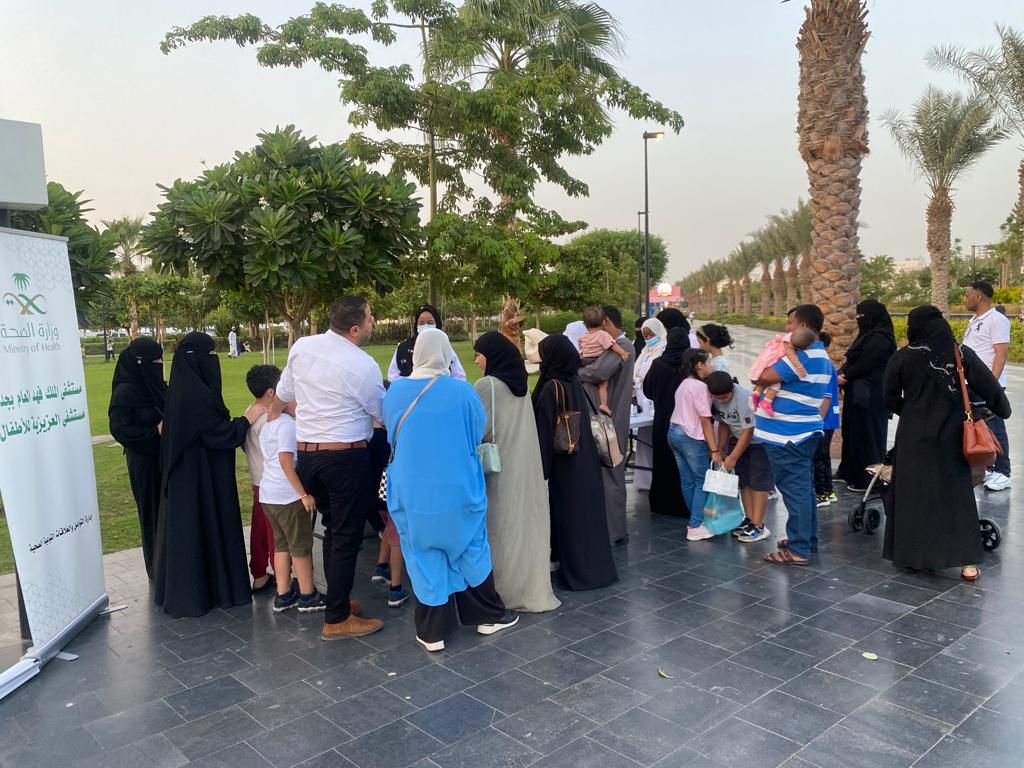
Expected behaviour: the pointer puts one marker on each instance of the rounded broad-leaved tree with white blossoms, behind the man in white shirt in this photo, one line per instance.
(290, 222)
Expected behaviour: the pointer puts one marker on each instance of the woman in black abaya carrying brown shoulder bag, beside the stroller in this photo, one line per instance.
(932, 521)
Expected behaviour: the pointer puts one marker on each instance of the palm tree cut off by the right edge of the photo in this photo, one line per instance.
(999, 74)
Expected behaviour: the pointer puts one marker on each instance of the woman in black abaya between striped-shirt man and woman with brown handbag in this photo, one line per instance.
(866, 418)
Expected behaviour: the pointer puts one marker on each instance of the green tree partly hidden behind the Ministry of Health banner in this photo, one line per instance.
(90, 251)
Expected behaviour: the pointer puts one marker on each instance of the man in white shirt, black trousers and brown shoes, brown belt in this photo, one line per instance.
(338, 390)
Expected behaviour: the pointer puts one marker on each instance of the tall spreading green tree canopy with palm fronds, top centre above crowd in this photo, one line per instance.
(504, 90)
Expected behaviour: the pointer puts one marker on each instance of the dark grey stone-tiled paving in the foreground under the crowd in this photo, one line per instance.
(702, 657)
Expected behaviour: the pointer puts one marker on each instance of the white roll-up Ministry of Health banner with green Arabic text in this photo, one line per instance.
(48, 479)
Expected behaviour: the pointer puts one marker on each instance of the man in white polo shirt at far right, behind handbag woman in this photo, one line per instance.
(989, 335)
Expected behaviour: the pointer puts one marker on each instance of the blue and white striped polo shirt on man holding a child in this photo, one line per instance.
(798, 405)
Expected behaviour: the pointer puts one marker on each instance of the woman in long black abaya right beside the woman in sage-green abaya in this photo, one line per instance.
(579, 531)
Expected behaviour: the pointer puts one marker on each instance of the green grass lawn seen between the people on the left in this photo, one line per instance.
(119, 521)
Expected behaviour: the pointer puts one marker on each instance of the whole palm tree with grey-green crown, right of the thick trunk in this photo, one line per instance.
(944, 138)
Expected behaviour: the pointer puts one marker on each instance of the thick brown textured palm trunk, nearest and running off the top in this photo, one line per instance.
(833, 127)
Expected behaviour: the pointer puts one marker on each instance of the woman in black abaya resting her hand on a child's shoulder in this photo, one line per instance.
(200, 552)
